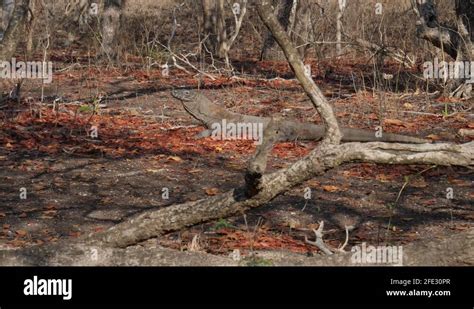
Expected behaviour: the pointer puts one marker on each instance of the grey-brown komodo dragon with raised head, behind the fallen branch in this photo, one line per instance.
(208, 113)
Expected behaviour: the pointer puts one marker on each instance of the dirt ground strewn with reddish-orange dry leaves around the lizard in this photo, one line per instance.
(145, 156)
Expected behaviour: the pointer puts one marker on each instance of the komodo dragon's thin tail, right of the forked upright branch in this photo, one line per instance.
(360, 135)
